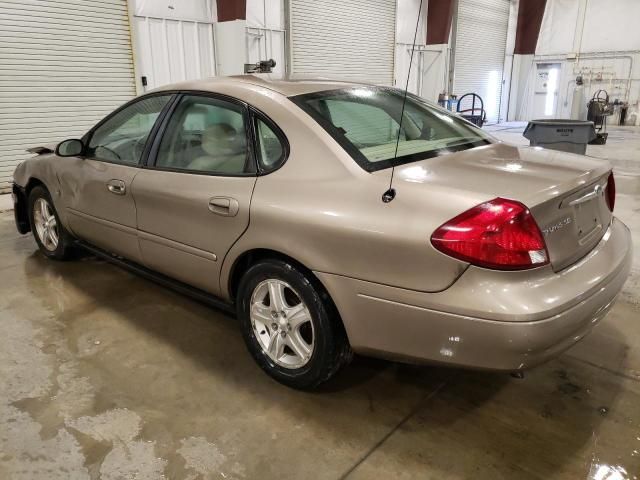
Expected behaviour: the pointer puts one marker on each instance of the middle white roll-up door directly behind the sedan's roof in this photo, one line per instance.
(343, 39)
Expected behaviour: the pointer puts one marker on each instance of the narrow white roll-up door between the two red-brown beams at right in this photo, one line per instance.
(481, 40)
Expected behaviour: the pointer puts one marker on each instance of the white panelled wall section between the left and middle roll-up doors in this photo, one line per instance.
(178, 41)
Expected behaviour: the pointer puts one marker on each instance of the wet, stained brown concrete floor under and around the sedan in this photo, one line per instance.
(106, 375)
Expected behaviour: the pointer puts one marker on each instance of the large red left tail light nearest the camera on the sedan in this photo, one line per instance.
(500, 234)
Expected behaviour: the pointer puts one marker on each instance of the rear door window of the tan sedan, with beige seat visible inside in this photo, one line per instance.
(206, 135)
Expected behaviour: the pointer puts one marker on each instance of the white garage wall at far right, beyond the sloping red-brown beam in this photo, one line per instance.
(598, 39)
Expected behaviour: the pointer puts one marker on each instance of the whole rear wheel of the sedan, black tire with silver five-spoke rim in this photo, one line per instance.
(290, 326)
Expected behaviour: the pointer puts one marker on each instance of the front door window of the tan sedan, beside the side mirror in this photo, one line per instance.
(121, 139)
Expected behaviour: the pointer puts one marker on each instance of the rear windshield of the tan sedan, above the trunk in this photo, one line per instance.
(366, 121)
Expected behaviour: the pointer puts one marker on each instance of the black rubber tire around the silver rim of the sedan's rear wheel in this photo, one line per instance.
(331, 348)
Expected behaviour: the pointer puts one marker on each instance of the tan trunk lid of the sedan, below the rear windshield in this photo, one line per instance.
(565, 193)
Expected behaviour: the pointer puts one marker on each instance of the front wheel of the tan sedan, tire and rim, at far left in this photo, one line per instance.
(51, 237)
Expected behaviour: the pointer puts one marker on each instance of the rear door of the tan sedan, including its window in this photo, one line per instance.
(193, 197)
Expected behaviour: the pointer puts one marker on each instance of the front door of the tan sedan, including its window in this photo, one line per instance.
(97, 186)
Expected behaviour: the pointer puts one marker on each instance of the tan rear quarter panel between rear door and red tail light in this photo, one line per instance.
(323, 210)
